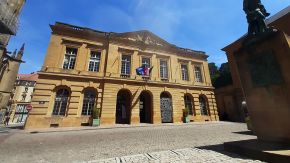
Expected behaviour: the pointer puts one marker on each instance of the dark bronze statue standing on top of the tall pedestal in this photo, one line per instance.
(256, 15)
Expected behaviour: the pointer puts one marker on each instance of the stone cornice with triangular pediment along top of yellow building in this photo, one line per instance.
(121, 39)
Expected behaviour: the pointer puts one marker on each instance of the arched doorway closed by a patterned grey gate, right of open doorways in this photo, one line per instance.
(166, 108)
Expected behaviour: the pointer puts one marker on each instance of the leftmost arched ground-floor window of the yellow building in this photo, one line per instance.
(60, 103)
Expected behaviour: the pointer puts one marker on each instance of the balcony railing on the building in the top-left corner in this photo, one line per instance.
(8, 19)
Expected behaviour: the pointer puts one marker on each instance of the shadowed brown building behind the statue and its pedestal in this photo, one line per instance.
(229, 98)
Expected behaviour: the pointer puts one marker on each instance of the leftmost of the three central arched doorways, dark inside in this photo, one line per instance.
(123, 107)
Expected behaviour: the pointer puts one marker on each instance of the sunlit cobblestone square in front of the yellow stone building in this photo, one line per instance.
(203, 141)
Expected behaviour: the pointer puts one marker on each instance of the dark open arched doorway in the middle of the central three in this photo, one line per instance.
(145, 107)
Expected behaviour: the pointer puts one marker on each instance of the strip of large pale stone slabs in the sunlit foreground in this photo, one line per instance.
(187, 155)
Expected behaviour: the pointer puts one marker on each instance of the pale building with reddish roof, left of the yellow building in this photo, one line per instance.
(21, 97)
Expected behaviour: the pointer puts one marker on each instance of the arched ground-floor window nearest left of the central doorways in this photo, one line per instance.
(89, 102)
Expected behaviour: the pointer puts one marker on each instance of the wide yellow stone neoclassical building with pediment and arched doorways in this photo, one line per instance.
(84, 67)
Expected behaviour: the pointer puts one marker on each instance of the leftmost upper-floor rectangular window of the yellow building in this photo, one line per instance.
(70, 58)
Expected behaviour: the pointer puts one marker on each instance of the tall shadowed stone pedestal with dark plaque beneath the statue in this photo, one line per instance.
(264, 70)
